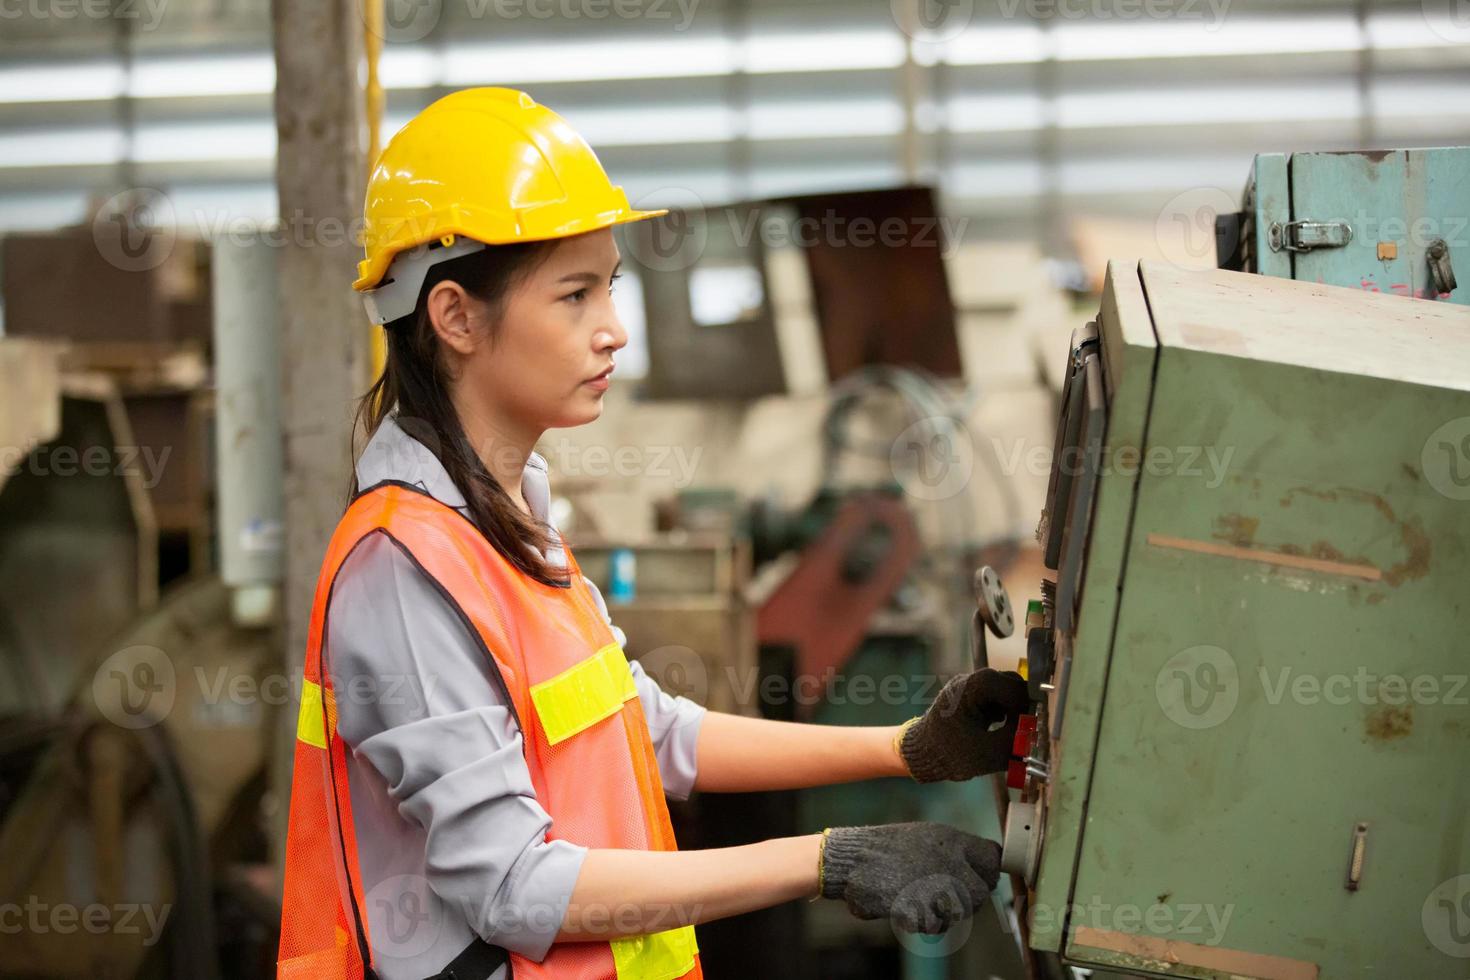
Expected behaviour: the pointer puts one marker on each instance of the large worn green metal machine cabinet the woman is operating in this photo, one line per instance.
(1253, 753)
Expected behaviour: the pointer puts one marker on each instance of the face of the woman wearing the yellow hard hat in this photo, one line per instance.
(548, 364)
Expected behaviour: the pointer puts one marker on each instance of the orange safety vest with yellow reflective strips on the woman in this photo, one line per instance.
(584, 732)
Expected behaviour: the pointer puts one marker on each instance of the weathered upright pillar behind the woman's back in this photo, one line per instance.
(321, 123)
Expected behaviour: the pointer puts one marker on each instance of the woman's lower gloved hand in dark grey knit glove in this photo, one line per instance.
(925, 876)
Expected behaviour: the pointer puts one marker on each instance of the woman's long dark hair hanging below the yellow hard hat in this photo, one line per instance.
(415, 381)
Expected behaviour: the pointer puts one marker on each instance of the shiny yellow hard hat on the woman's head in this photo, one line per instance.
(489, 165)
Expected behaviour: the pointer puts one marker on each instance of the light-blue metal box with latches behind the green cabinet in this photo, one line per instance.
(1380, 221)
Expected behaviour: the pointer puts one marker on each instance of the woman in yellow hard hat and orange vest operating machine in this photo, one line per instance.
(480, 771)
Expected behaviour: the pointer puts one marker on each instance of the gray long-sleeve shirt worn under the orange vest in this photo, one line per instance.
(451, 837)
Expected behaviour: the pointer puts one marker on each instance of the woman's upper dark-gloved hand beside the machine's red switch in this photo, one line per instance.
(953, 740)
